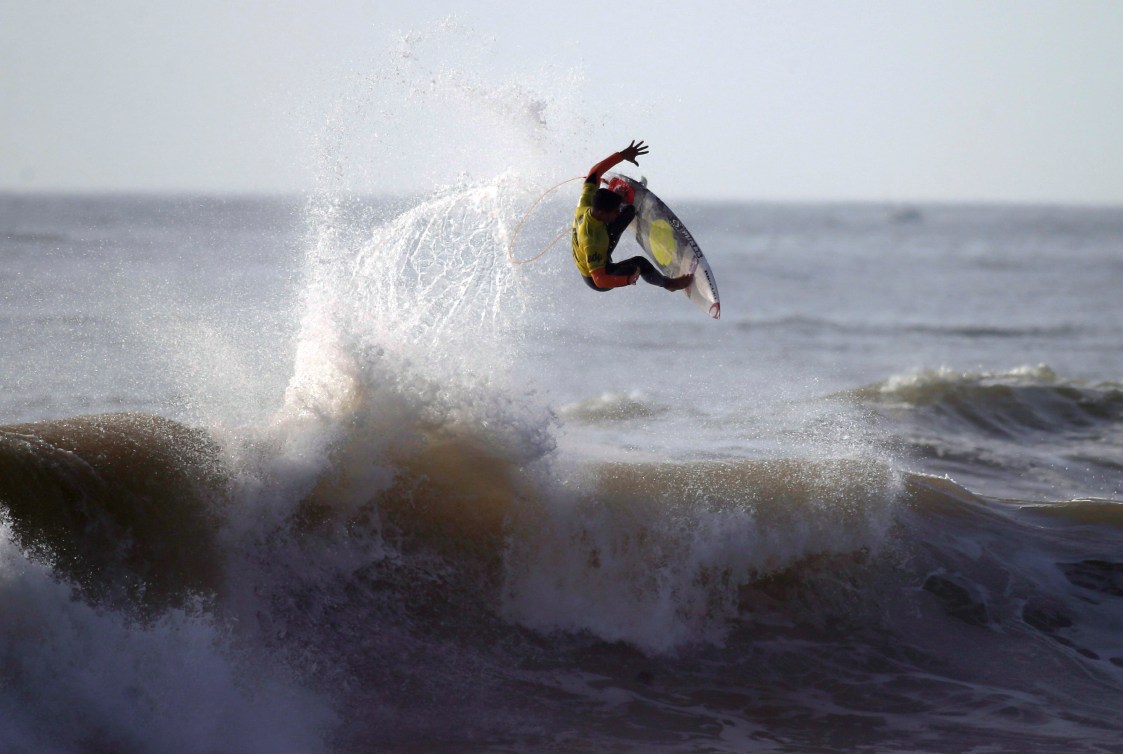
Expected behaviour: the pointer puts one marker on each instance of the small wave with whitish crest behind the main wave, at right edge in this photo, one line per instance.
(1027, 431)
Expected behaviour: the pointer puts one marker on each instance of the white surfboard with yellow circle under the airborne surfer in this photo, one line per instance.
(671, 247)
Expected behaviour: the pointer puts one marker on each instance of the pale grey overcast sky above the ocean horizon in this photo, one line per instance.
(948, 101)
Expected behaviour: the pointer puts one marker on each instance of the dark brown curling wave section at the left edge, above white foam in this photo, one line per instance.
(118, 503)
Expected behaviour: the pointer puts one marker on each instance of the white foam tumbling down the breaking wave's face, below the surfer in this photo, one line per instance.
(662, 570)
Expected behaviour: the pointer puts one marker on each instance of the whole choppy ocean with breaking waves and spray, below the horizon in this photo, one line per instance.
(333, 475)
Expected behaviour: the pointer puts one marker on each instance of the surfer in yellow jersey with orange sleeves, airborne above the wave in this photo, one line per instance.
(597, 229)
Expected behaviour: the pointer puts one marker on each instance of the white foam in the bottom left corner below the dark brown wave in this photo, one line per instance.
(77, 678)
